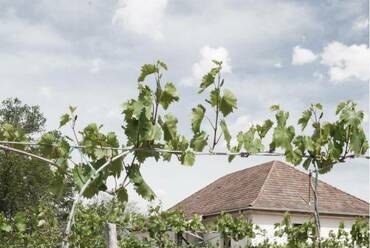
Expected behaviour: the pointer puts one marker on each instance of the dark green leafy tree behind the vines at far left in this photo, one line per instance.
(24, 181)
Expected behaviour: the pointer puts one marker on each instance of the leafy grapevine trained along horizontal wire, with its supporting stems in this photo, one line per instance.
(151, 132)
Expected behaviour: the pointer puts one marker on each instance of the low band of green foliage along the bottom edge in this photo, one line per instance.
(39, 227)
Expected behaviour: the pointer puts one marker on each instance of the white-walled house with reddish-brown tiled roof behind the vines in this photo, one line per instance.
(263, 193)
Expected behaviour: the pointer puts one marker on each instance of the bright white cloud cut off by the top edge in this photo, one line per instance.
(142, 17)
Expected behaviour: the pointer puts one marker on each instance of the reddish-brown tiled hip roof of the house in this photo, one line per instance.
(274, 186)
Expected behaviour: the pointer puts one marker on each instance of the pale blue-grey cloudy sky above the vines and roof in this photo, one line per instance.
(88, 54)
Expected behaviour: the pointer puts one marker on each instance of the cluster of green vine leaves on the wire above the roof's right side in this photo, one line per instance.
(330, 141)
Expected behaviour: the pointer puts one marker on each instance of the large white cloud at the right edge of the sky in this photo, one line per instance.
(346, 62)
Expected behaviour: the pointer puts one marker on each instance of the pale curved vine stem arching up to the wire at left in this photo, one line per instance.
(67, 232)
